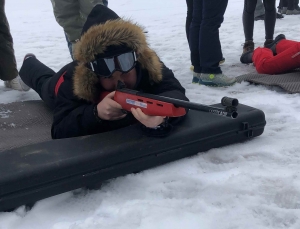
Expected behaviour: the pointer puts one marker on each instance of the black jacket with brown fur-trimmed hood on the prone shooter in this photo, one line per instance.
(103, 33)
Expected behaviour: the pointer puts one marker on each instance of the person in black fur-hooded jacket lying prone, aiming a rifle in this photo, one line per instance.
(81, 93)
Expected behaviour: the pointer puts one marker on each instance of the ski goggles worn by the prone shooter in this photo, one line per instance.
(105, 67)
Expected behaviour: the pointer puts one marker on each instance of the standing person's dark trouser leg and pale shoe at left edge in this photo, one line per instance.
(8, 65)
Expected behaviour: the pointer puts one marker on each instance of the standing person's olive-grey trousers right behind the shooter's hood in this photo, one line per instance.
(71, 16)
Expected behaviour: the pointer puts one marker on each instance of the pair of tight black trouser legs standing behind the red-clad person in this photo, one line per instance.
(248, 18)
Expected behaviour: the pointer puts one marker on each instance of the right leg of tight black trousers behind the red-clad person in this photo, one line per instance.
(270, 18)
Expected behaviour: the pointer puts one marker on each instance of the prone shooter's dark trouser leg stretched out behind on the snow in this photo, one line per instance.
(38, 77)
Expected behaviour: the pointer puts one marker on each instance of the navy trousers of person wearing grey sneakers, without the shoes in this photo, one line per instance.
(203, 36)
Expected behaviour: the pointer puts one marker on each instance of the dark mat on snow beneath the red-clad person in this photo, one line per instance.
(290, 82)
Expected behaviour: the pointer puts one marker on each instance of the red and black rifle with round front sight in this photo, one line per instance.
(164, 106)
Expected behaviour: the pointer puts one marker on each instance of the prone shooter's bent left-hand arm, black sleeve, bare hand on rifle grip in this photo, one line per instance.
(76, 117)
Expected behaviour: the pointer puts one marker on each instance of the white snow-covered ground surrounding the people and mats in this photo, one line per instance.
(255, 184)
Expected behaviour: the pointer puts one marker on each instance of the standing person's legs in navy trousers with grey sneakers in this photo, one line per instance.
(202, 30)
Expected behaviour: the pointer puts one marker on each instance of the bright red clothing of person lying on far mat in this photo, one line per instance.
(287, 58)
